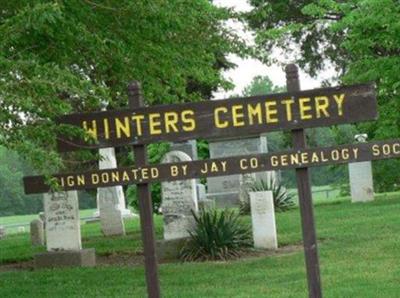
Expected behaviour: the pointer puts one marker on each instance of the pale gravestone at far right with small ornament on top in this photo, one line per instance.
(361, 179)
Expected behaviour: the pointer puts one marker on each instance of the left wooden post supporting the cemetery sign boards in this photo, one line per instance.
(145, 205)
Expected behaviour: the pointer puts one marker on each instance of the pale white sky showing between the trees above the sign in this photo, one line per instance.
(246, 69)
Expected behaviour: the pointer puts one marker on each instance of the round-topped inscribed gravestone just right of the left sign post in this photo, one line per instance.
(178, 199)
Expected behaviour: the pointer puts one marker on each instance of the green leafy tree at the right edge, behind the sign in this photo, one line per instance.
(360, 38)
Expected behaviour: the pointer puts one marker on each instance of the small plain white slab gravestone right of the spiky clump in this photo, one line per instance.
(263, 220)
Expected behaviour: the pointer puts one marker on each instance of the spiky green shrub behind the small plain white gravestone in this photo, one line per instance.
(283, 200)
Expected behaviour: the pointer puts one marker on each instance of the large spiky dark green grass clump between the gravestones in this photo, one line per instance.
(218, 235)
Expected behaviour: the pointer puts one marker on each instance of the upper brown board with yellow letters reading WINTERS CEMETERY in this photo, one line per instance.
(224, 118)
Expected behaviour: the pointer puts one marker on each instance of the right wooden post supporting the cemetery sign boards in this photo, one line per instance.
(305, 199)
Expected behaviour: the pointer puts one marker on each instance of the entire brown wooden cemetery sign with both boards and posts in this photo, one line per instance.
(293, 110)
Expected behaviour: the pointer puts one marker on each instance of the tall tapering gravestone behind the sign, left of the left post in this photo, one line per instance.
(111, 200)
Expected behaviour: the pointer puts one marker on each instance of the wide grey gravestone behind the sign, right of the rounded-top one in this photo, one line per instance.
(226, 190)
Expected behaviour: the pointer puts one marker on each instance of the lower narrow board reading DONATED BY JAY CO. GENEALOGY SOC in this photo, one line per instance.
(219, 167)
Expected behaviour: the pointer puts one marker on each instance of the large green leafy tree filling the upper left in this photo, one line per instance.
(58, 57)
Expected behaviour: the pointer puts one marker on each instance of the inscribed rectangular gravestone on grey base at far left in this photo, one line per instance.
(62, 221)
